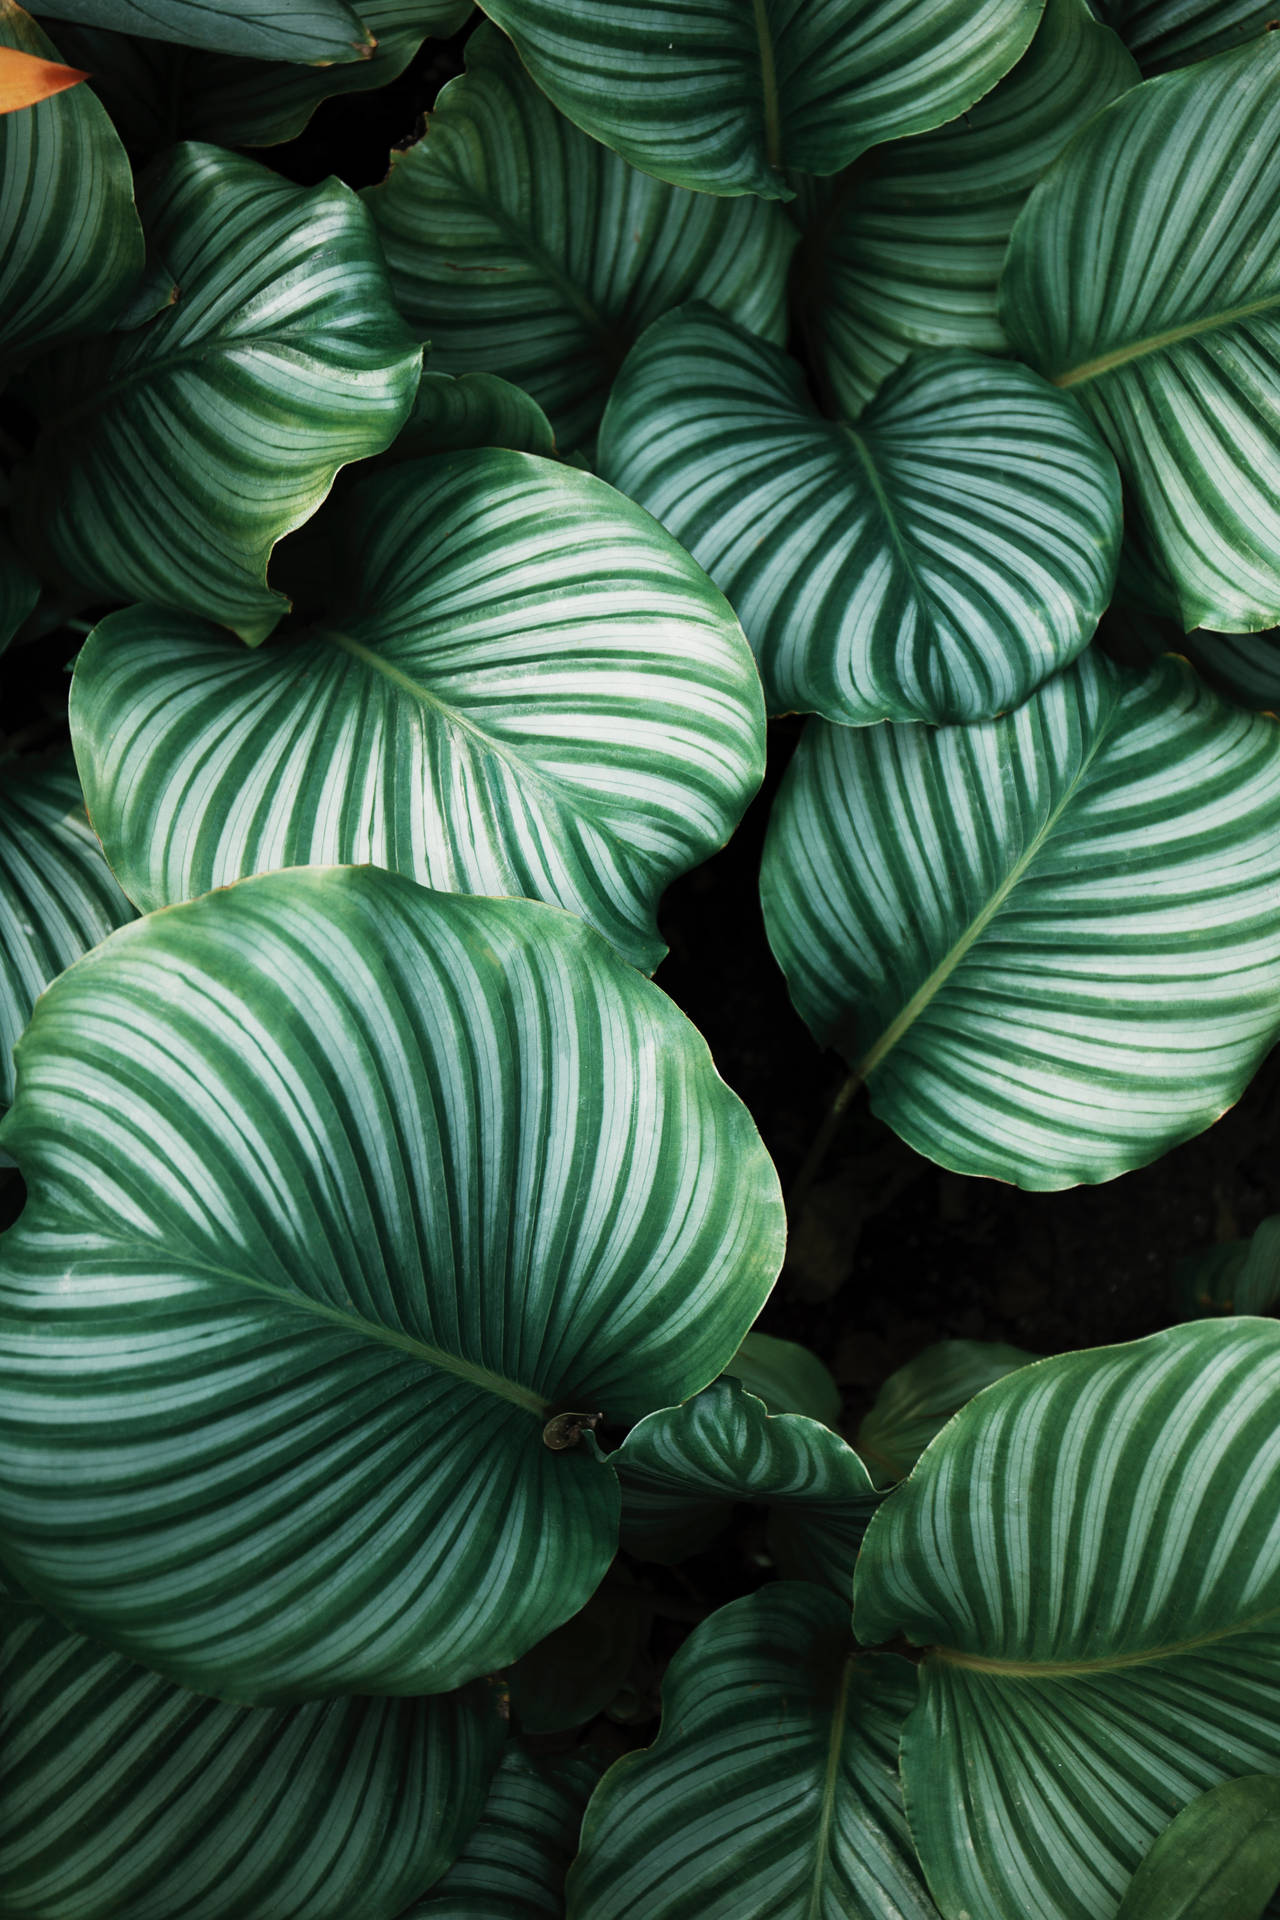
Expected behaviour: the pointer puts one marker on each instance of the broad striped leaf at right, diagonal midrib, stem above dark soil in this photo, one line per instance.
(1049, 944)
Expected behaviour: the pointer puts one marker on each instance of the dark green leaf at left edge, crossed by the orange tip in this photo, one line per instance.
(70, 237)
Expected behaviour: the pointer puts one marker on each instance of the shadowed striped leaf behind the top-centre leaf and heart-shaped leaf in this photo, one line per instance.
(907, 249)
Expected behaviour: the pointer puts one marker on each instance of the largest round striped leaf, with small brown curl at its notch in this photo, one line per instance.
(348, 1205)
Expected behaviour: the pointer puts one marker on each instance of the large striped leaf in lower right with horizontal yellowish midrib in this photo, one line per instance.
(1091, 1558)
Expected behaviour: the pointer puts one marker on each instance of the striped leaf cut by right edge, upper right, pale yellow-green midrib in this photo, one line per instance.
(1145, 277)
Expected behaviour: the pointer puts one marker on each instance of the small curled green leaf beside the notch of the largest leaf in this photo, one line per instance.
(684, 1470)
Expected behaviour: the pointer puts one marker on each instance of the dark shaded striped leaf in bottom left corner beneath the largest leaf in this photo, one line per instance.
(122, 1794)
